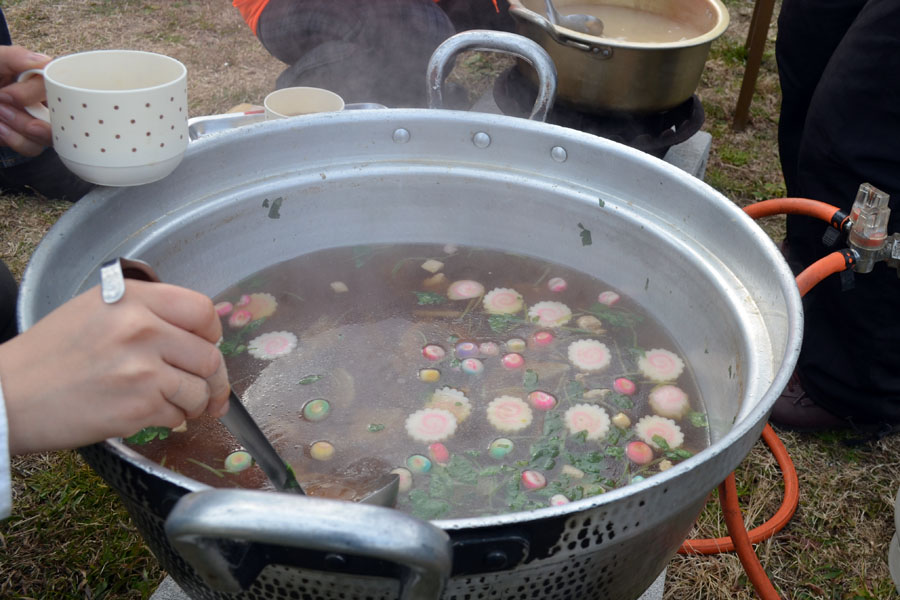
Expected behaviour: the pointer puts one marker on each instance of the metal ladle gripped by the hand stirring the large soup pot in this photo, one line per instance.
(383, 491)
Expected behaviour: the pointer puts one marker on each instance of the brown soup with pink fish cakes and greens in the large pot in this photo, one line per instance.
(489, 382)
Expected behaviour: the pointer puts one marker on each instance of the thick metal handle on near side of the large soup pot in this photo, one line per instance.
(207, 526)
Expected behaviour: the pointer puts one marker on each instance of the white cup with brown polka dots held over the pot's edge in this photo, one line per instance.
(119, 117)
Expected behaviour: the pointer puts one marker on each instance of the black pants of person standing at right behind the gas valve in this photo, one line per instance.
(839, 64)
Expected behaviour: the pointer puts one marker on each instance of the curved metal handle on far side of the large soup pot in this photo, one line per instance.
(441, 64)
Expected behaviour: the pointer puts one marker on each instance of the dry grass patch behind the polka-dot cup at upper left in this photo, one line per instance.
(226, 65)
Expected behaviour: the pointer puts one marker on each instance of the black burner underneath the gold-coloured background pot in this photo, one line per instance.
(653, 133)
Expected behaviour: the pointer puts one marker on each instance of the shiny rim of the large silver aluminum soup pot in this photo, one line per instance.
(745, 423)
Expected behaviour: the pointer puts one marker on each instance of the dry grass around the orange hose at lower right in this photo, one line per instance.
(834, 547)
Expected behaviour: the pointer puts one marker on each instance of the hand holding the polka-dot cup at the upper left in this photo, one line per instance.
(19, 130)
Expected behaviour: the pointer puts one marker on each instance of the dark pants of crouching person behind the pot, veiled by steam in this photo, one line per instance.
(364, 50)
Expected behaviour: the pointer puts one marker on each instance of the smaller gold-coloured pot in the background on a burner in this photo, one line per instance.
(600, 74)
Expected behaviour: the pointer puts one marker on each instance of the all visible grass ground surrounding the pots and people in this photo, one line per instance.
(69, 537)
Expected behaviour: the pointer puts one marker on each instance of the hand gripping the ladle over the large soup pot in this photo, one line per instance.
(89, 371)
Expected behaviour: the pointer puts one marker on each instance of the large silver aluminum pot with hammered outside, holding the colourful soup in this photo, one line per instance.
(278, 189)
